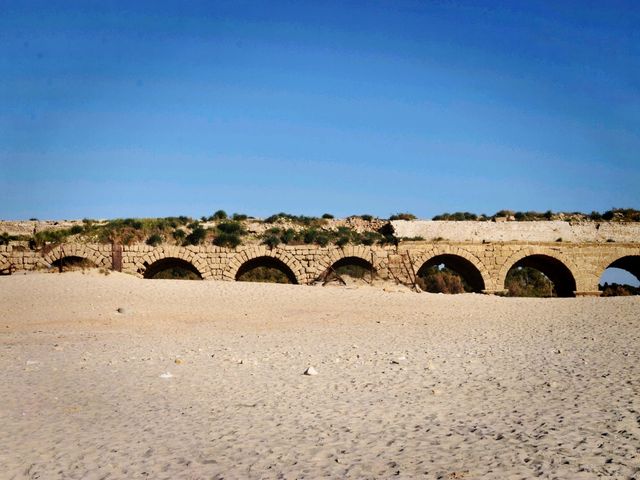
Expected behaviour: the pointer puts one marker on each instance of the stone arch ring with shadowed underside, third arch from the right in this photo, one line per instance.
(465, 263)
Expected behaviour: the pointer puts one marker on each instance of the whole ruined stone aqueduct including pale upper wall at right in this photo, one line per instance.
(482, 252)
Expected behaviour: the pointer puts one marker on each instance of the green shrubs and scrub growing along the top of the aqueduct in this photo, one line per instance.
(281, 228)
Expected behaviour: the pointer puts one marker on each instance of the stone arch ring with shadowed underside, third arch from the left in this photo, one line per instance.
(262, 256)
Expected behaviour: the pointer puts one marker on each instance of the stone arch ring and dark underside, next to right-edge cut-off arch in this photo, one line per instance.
(560, 269)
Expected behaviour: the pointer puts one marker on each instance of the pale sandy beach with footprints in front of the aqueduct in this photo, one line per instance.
(112, 376)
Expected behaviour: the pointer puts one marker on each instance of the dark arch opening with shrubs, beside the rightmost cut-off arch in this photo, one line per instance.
(540, 276)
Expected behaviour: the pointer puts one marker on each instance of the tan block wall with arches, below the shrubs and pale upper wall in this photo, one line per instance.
(584, 262)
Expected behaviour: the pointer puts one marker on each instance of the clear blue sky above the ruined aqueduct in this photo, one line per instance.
(133, 108)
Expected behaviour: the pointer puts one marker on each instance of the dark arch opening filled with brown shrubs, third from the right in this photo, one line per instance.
(449, 273)
